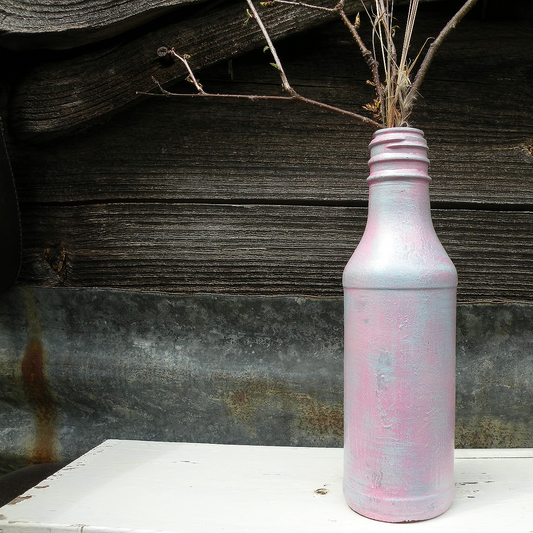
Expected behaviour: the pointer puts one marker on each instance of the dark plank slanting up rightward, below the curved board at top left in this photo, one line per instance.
(74, 91)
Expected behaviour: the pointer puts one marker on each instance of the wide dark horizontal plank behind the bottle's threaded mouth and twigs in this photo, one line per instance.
(478, 130)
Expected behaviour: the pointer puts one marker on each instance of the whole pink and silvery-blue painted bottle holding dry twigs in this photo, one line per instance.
(399, 370)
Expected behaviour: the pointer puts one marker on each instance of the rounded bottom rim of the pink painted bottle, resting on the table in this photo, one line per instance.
(399, 510)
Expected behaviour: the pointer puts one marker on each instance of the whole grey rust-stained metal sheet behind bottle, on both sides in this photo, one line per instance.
(81, 366)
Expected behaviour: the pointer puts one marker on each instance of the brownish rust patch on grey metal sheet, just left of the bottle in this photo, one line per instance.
(249, 398)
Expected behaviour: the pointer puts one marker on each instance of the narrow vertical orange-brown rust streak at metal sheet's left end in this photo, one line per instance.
(37, 390)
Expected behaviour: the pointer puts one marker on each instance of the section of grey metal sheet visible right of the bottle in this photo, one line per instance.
(495, 376)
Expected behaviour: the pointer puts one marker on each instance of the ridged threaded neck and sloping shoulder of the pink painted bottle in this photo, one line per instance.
(399, 248)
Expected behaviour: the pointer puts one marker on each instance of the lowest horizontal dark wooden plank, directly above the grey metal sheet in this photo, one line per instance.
(254, 249)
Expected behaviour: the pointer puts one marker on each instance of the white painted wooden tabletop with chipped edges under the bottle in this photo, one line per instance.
(132, 486)
